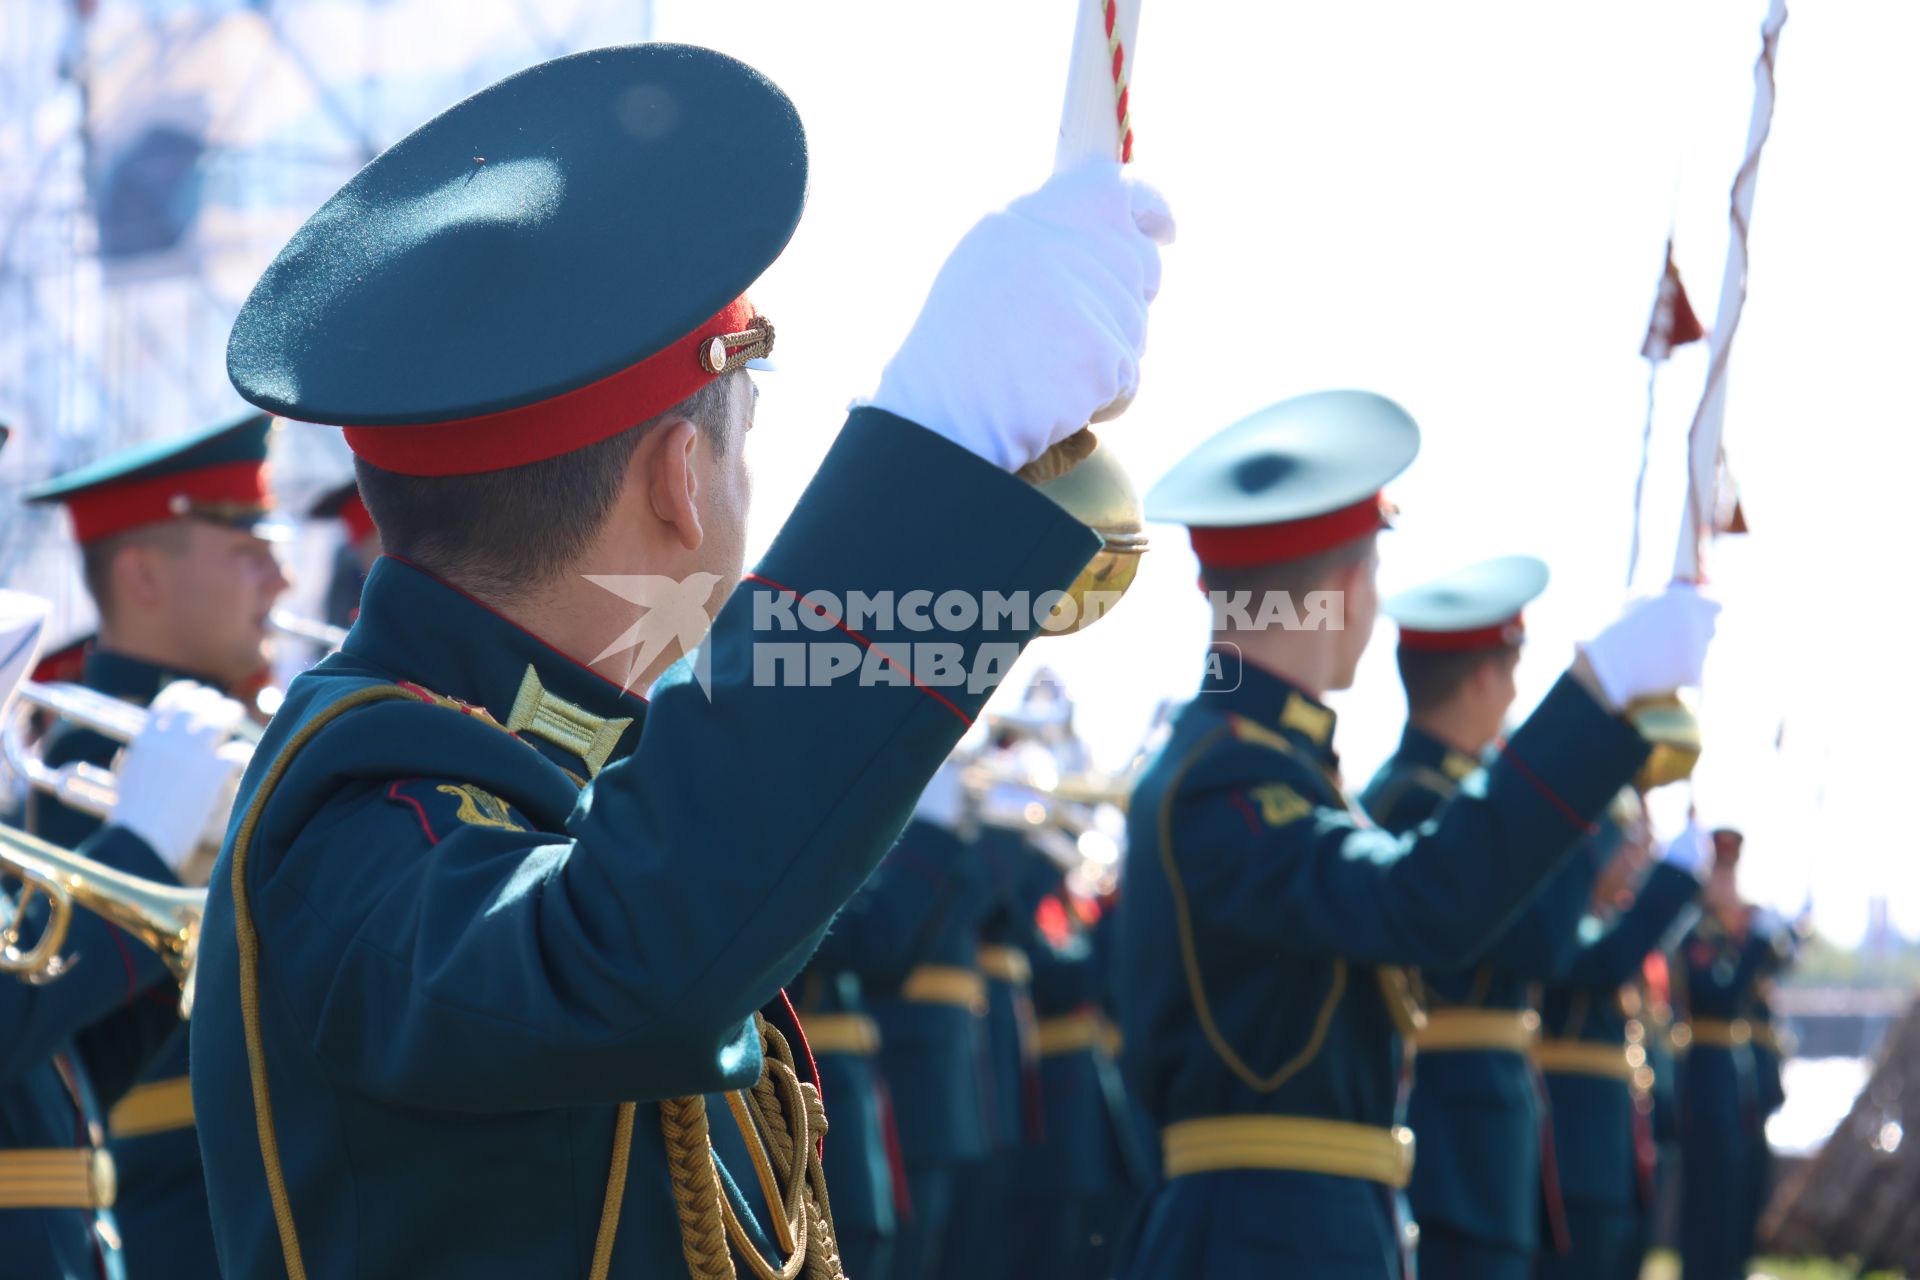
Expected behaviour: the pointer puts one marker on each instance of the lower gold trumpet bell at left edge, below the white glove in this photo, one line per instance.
(164, 918)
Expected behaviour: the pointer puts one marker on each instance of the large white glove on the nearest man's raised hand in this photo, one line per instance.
(1038, 321)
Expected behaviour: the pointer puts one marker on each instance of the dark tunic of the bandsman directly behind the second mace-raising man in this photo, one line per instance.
(1477, 1112)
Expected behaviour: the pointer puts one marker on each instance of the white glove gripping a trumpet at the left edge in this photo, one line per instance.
(176, 778)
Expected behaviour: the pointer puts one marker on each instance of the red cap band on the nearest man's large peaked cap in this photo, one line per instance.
(558, 425)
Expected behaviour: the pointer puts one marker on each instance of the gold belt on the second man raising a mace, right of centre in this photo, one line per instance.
(1289, 1143)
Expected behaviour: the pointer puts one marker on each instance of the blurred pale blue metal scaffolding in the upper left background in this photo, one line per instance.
(155, 154)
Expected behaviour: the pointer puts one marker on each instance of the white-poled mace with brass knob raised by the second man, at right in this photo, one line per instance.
(1669, 723)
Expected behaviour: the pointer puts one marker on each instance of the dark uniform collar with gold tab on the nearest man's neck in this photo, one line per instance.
(429, 632)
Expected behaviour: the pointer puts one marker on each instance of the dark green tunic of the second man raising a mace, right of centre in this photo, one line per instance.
(1260, 939)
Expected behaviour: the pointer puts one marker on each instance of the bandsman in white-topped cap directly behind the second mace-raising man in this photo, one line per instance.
(1476, 1108)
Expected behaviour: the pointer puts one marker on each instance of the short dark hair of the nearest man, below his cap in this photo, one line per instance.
(502, 533)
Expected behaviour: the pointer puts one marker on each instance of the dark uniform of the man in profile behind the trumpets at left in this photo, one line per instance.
(162, 1202)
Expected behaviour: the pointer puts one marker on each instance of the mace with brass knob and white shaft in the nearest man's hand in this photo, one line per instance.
(1082, 473)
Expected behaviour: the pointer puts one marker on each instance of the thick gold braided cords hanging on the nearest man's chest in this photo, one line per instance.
(782, 1122)
